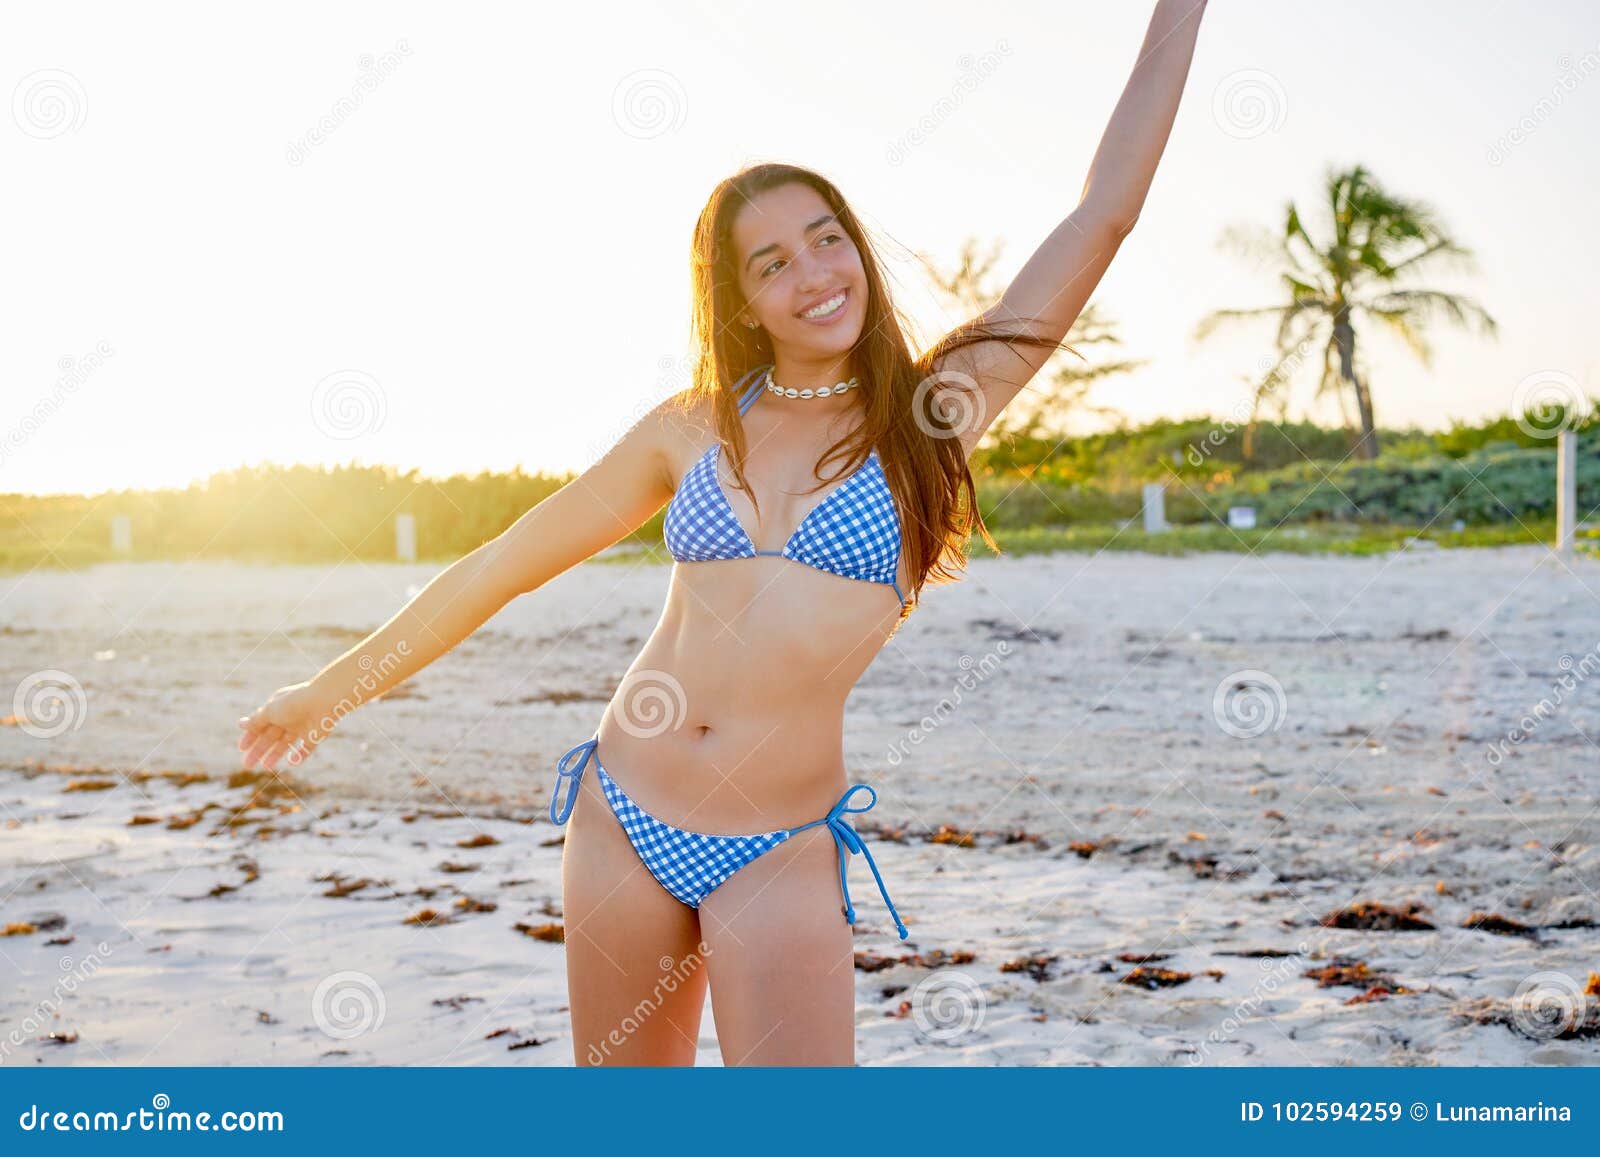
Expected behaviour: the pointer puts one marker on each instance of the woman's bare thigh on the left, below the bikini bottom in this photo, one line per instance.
(636, 974)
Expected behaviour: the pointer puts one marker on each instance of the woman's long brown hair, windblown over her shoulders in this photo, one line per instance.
(906, 399)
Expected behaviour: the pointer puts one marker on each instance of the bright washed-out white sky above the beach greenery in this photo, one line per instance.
(486, 262)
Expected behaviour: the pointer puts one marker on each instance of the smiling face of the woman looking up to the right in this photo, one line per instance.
(801, 273)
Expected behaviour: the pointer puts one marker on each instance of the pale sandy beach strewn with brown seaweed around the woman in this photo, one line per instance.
(1137, 811)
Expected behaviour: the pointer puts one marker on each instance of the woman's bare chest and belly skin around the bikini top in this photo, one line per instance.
(732, 718)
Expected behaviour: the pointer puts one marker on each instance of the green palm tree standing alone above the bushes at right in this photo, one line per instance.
(1366, 271)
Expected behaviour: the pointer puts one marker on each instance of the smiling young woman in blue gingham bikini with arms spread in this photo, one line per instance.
(817, 473)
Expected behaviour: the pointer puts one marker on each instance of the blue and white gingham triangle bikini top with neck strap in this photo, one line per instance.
(855, 532)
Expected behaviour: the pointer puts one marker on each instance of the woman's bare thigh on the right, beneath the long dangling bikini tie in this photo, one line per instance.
(783, 980)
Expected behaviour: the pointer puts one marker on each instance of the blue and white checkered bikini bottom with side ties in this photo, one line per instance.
(694, 865)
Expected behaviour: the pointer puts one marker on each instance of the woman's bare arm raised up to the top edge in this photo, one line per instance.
(1055, 284)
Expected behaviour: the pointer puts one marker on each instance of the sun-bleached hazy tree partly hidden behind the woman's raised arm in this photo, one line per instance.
(1065, 385)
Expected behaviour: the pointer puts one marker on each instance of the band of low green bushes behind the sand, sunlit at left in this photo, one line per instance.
(1498, 481)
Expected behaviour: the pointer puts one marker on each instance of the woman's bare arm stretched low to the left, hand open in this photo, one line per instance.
(591, 513)
